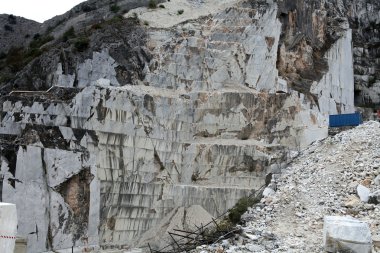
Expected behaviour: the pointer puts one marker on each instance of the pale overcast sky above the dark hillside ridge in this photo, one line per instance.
(38, 10)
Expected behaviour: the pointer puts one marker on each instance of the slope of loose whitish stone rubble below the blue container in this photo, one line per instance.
(322, 180)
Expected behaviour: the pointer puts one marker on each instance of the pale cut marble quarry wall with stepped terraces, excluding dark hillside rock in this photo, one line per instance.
(211, 119)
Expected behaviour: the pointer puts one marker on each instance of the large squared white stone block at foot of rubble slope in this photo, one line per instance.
(346, 234)
